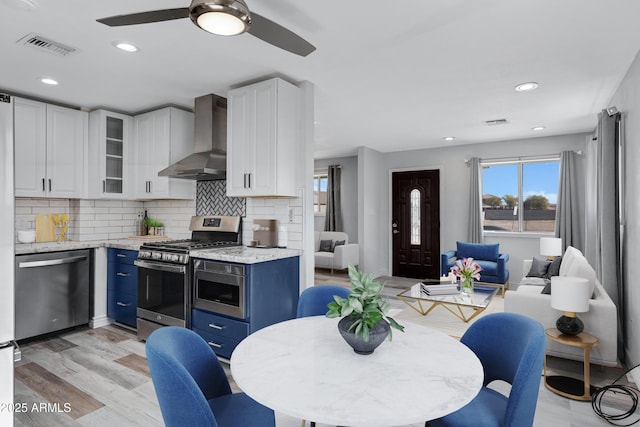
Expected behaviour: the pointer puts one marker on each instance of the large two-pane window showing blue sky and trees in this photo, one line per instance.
(520, 196)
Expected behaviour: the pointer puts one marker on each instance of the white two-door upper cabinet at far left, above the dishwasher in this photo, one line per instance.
(49, 150)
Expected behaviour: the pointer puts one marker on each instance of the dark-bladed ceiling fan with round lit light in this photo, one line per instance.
(222, 17)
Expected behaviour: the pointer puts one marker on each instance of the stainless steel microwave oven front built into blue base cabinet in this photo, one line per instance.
(219, 288)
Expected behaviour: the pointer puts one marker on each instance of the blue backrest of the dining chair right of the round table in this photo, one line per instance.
(511, 348)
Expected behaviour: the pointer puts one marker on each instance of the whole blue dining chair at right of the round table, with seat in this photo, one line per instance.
(511, 348)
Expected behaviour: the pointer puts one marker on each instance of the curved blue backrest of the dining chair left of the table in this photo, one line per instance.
(185, 373)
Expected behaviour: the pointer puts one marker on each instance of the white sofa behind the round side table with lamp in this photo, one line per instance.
(600, 321)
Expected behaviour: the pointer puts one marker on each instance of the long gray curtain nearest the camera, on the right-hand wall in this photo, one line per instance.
(605, 219)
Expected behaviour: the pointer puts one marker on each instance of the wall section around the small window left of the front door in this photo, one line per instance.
(348, 193)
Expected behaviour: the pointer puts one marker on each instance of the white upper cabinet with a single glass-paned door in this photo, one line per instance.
(109, 160)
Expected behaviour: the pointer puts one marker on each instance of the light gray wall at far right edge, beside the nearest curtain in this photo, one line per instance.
(627, 100)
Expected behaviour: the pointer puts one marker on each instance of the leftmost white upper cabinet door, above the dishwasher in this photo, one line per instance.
(30, 133)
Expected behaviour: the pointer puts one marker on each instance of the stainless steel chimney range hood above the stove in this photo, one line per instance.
(209, 162)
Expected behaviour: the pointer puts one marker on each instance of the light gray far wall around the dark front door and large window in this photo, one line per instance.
(454, 188)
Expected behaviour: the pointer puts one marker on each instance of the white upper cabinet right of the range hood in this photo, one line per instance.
(262, 130)
